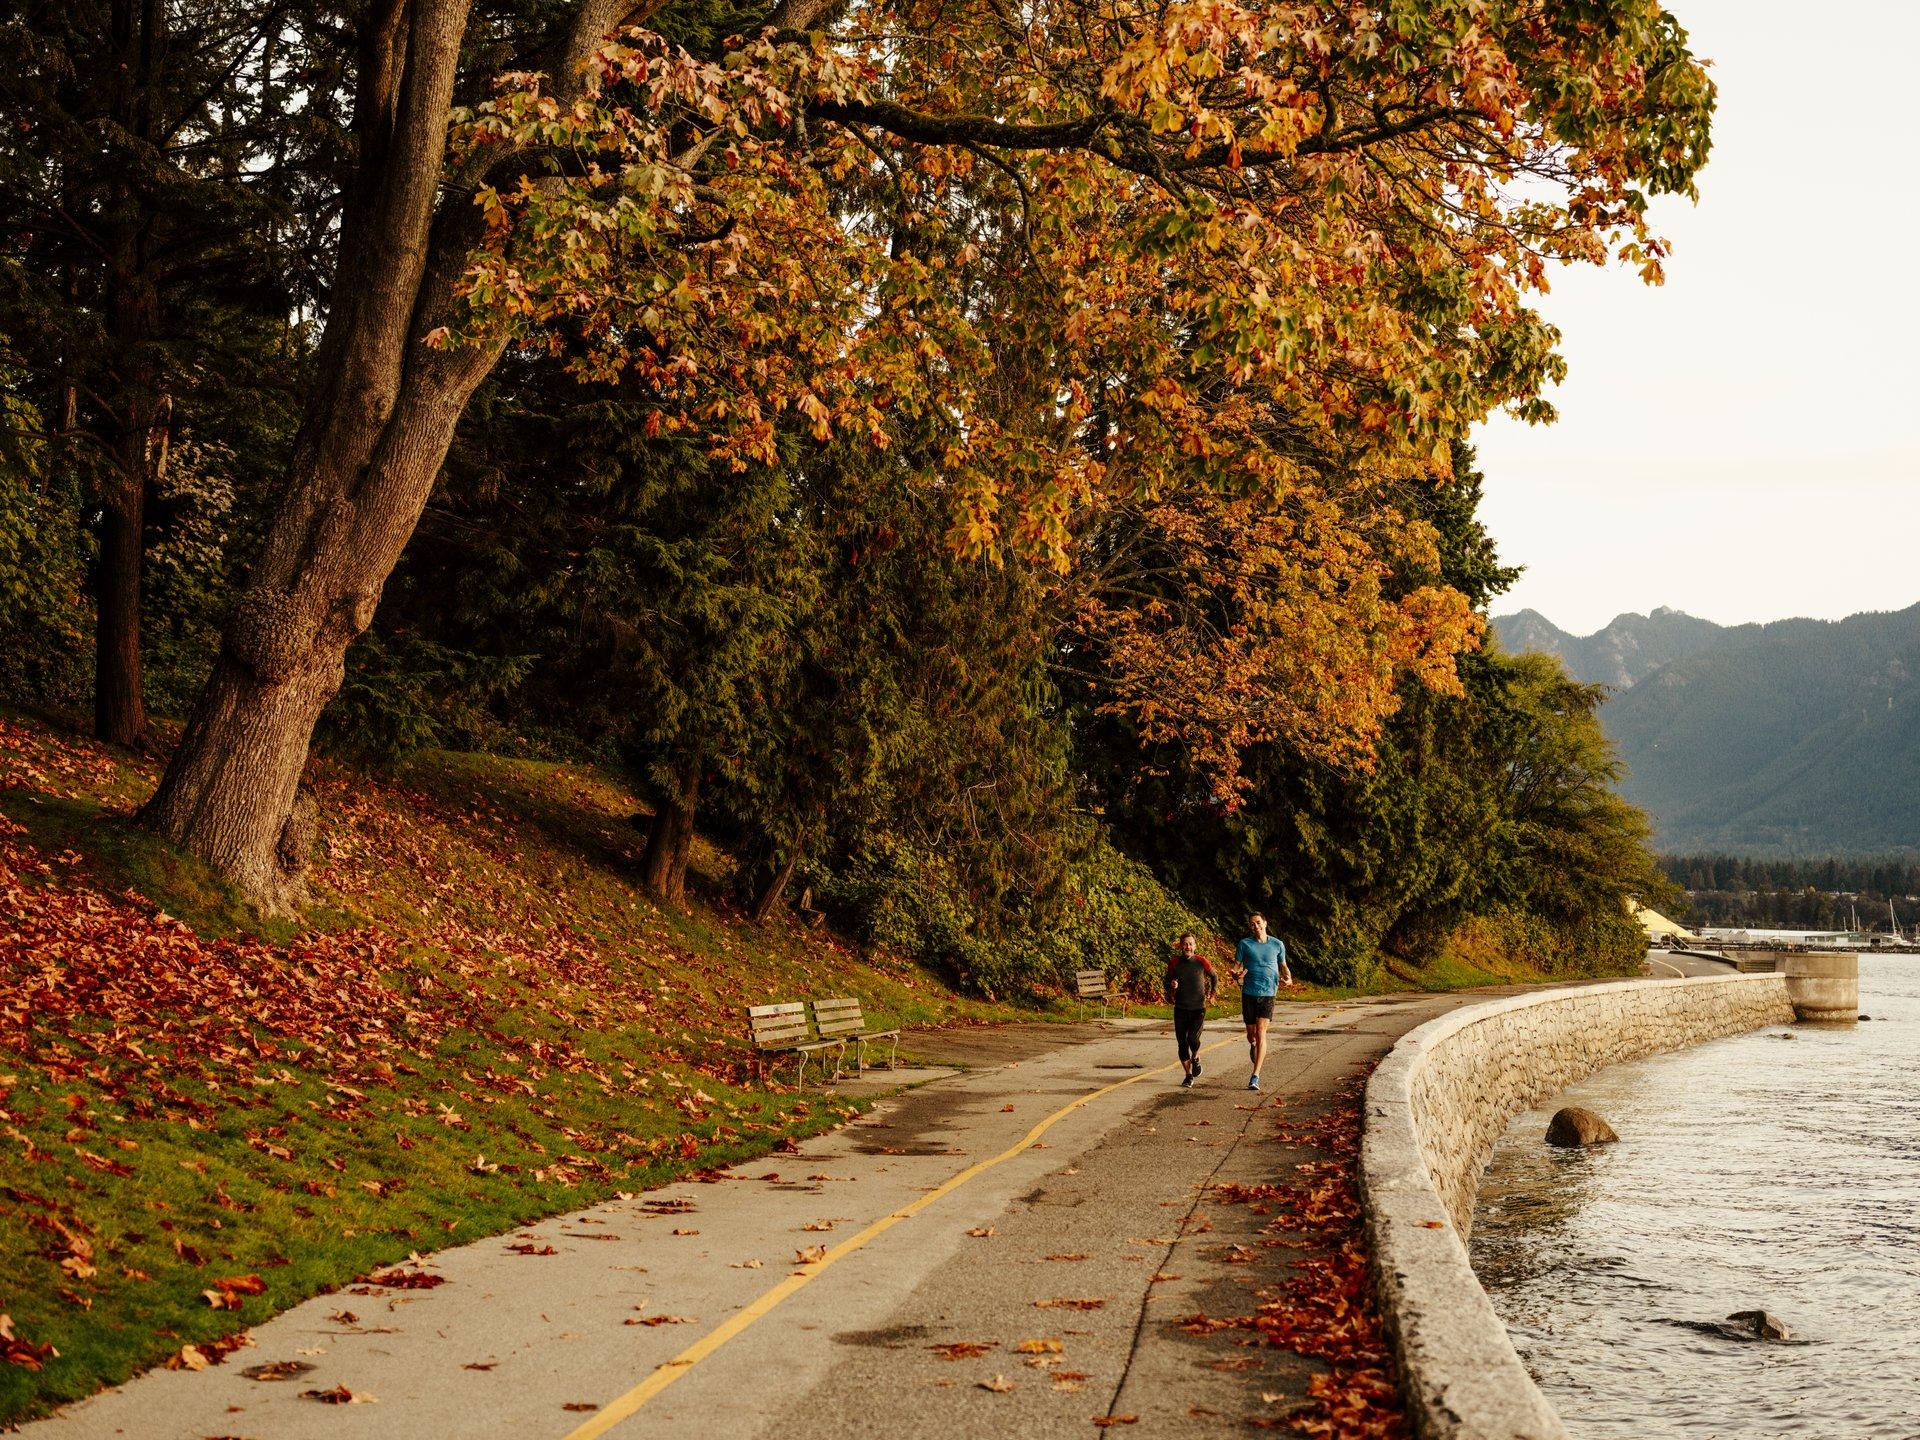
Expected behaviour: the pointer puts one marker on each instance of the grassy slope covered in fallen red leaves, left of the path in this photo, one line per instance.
(483, 1024)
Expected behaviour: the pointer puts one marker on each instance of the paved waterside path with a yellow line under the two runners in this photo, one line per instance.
(1068, 1164)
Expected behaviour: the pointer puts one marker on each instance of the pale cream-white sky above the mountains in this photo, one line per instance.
(1744, 443)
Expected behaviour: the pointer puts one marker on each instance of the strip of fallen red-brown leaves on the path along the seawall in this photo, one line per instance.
(1326, 1307)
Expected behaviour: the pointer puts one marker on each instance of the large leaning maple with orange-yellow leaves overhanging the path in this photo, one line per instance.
(1086, 247)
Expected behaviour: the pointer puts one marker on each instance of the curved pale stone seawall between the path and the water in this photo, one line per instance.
(1435, 1107)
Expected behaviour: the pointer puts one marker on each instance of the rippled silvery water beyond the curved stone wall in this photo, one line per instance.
(1752, 1174)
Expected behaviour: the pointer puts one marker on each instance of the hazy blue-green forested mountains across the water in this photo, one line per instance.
(1788, 738)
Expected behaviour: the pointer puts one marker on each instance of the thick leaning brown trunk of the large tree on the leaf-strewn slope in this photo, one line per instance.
(370, 450)
